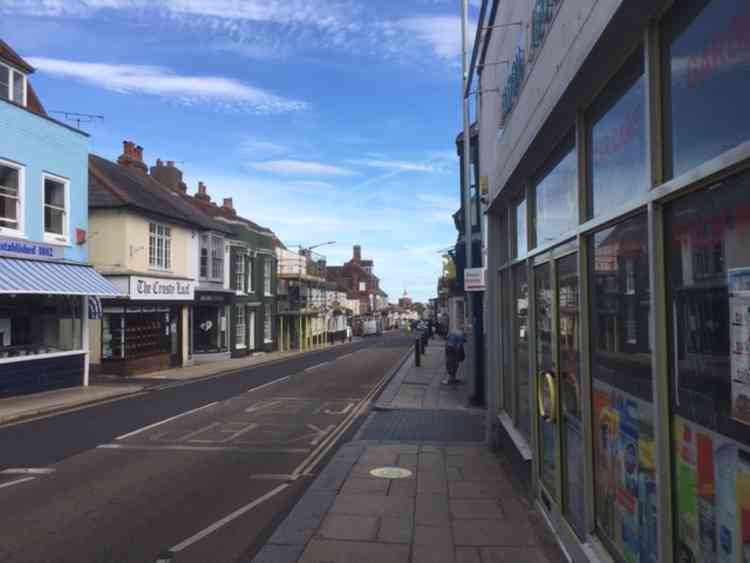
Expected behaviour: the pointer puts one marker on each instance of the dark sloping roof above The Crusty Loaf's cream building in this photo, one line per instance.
(112, 185)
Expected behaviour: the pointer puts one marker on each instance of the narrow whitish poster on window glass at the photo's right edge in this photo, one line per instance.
(739, 339)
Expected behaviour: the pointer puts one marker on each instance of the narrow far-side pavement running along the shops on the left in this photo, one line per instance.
(111, 387)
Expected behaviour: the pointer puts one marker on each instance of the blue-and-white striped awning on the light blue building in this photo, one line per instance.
(52, 278)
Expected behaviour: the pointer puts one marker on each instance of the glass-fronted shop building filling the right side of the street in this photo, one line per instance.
(617, 155)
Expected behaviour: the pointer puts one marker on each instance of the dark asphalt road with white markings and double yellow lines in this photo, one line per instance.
(191, 473)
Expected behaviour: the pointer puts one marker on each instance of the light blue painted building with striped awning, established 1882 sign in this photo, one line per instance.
(46, 285)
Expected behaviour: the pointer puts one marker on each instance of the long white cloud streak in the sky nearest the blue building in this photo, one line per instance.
(160, 81)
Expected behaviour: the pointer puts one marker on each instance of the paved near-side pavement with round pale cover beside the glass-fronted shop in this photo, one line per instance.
(441, 496)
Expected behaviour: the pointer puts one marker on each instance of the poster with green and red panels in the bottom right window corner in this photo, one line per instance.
(713, 497)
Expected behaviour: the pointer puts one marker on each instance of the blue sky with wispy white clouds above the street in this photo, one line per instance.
(325, 120)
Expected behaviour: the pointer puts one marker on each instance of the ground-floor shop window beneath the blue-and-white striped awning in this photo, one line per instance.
(39, 324)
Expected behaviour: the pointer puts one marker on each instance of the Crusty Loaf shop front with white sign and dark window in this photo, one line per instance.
(147, 331)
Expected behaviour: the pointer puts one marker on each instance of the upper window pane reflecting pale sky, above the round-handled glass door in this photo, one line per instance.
(557, 200)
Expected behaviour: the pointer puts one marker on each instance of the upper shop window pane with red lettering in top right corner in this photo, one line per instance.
(707, 76)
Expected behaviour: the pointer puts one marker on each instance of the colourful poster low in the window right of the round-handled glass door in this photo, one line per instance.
(625, 465)
